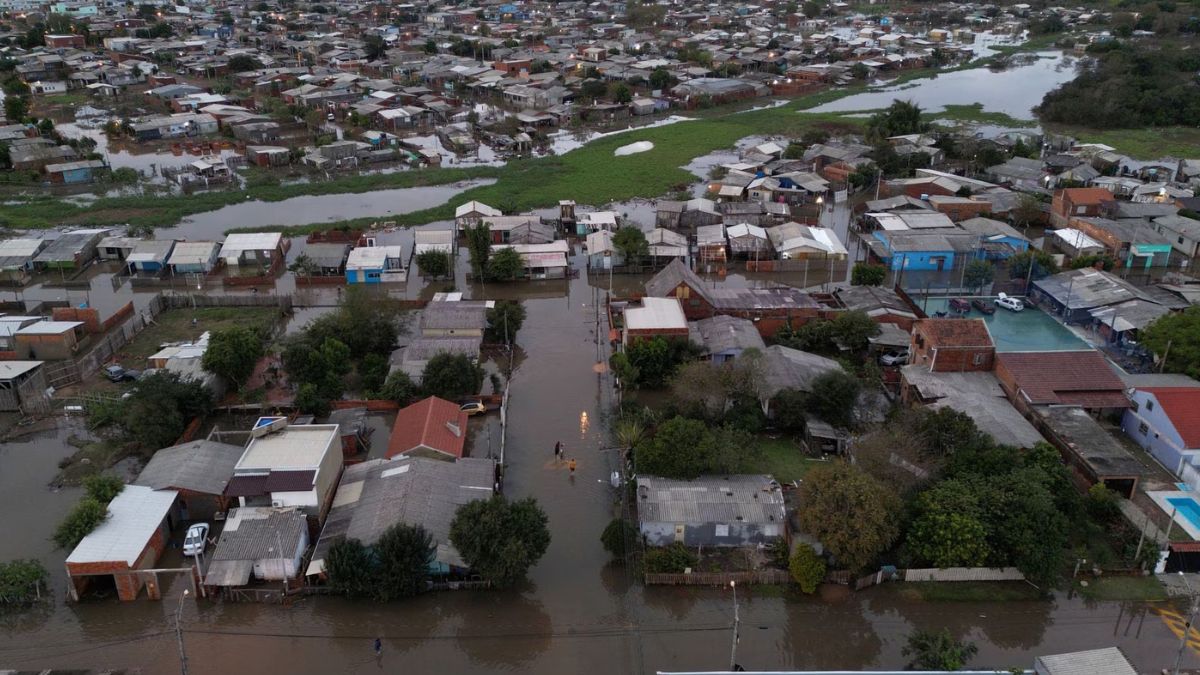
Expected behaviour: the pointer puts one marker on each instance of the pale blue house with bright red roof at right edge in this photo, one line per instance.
(1166, 421)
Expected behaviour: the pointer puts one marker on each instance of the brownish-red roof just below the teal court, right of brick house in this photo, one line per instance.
(1083, 379)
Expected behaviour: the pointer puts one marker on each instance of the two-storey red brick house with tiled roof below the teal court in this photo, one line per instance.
(952, 345)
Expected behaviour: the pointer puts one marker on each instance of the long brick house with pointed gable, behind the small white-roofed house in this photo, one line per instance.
(770, 309)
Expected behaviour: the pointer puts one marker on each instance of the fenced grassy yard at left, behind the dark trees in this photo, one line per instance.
(176, 326)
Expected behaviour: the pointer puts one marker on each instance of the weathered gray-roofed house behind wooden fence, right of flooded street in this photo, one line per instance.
(712, 511)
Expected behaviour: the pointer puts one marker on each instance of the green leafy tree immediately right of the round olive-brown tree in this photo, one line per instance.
(949, 530)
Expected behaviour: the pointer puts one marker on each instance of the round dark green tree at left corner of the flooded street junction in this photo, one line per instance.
(501, 540)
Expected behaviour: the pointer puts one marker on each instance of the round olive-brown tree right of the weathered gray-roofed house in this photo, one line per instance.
(850, 513)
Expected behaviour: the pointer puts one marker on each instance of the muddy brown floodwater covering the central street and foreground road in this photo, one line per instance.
(577, 614)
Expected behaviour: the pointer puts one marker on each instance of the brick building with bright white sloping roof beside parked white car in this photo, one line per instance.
(125, 546)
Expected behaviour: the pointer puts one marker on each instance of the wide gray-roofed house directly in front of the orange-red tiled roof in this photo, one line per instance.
(377, 494)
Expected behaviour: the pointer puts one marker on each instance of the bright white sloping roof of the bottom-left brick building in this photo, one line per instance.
(134, 517)
